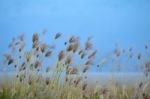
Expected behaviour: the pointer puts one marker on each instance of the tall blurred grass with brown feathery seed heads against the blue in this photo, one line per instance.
(67, 78)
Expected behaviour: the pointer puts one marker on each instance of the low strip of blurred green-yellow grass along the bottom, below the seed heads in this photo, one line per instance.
(41, 90)
